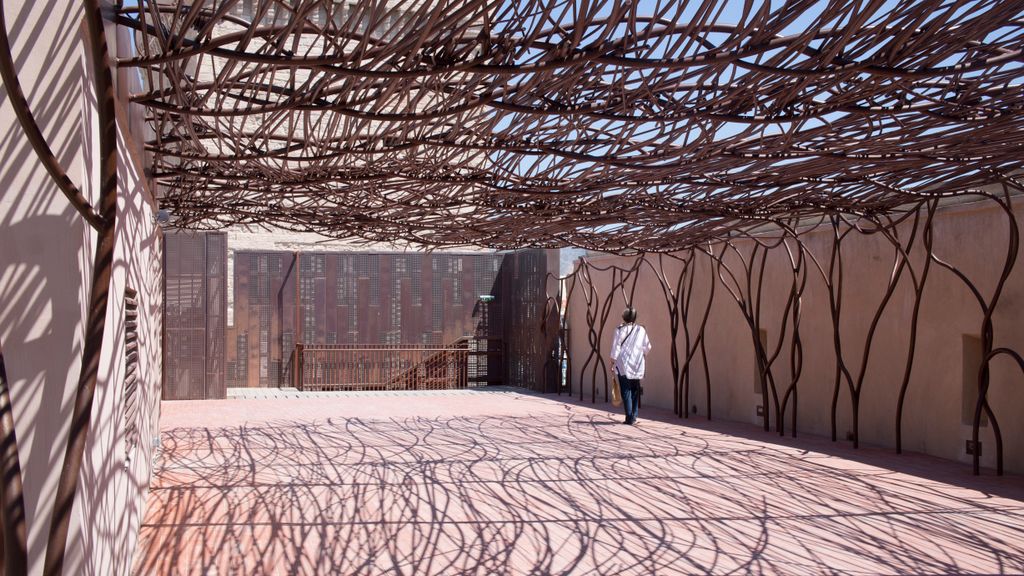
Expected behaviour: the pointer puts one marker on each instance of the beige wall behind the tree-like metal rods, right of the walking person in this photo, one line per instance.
(971, 236)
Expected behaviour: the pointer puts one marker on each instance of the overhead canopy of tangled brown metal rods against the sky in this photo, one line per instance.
(610, 126)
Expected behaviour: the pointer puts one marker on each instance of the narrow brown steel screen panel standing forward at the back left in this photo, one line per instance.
(195, 301)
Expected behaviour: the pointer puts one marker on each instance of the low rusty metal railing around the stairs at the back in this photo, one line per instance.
(382, 367)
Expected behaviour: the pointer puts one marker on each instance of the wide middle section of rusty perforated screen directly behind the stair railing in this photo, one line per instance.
(350, 299)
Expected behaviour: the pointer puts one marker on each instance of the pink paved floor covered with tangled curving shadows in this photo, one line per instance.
(486, 483)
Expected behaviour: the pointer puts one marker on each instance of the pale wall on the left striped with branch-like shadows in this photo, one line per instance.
(46, 266)
